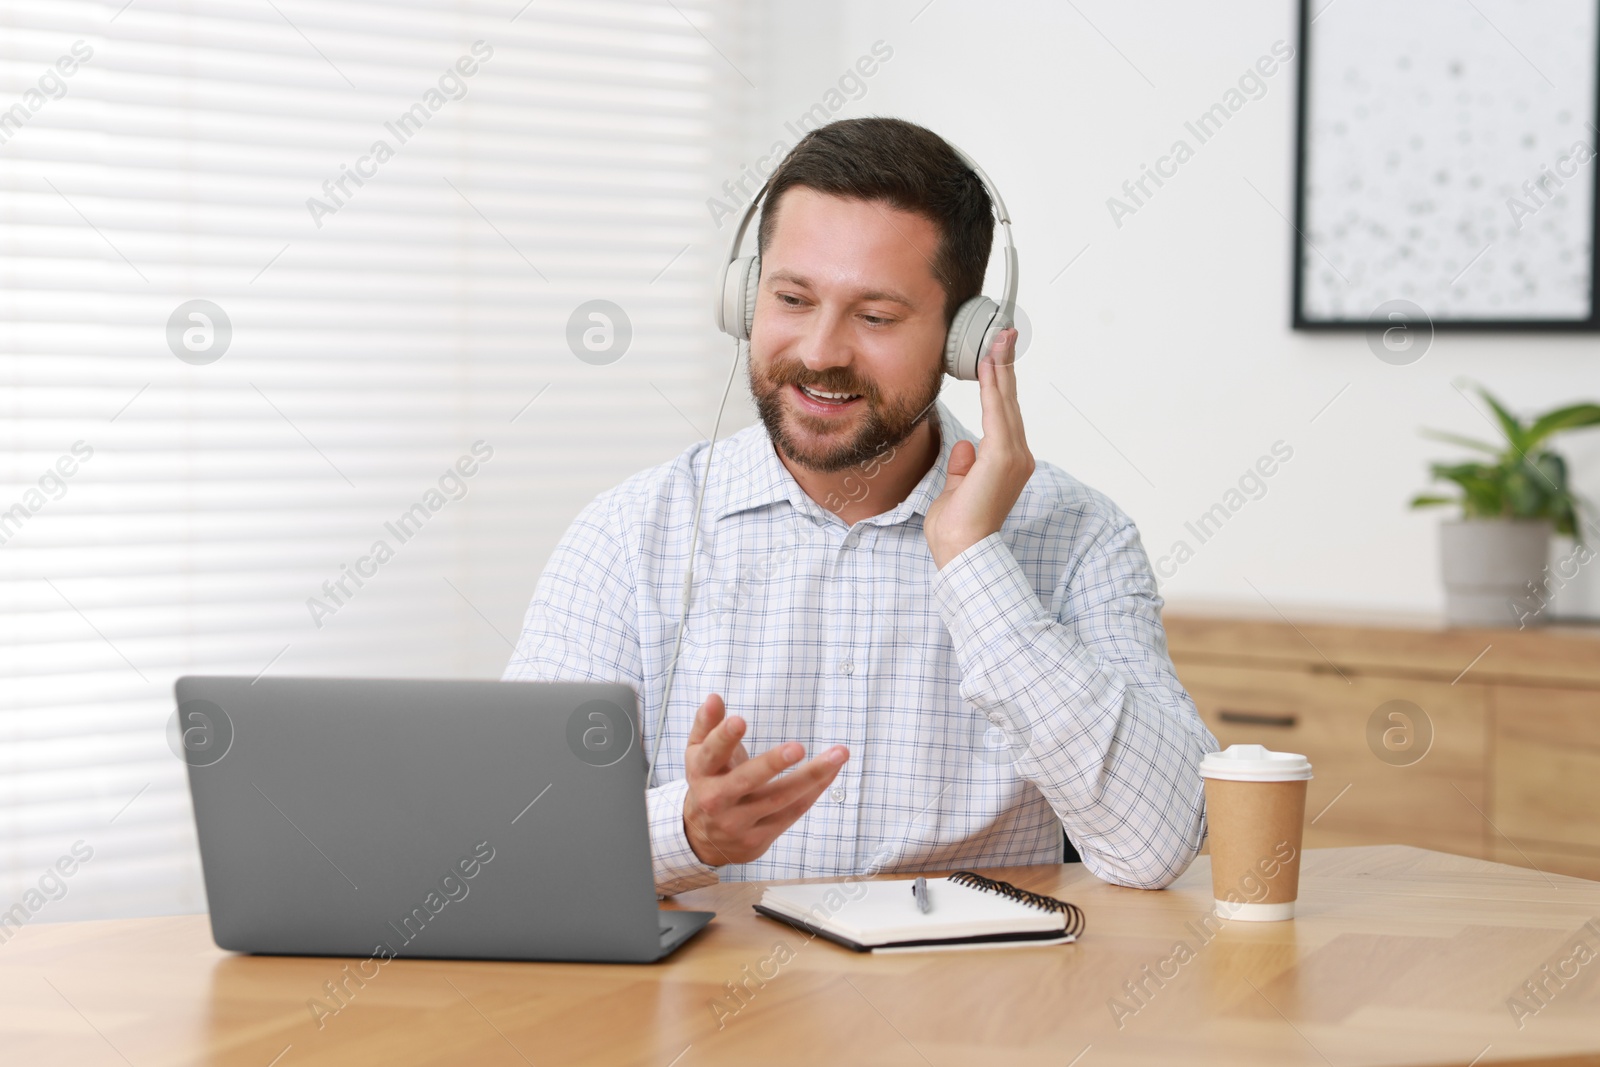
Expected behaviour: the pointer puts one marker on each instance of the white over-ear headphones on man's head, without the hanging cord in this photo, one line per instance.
(972, 332)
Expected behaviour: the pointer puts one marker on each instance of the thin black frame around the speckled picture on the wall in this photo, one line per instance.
(1302, 244)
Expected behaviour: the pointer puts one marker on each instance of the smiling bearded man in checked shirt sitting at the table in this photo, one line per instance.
(969, 642)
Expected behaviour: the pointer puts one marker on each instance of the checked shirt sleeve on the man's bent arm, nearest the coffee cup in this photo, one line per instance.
(1102, 725)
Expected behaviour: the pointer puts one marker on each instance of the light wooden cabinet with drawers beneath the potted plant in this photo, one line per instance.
(1481, 743)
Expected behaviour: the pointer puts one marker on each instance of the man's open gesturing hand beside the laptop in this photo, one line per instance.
(737, 805)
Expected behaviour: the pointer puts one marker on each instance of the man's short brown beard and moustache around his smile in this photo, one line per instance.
(887, 423)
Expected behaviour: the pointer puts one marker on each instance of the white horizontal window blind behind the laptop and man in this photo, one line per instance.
(289, 281)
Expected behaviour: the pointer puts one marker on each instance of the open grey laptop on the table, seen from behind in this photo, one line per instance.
(407, 818)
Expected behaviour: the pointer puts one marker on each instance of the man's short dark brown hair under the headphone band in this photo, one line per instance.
(908, 167)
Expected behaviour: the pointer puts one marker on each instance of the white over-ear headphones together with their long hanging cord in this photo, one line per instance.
(972, 334)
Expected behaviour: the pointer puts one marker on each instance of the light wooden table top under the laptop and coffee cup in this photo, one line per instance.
(1399, 956)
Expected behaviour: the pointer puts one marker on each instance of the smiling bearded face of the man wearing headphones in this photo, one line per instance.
(847, 306)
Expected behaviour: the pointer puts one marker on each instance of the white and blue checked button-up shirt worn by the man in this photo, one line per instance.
(1023, 690)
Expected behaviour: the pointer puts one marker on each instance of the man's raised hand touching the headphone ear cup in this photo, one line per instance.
(983, 486)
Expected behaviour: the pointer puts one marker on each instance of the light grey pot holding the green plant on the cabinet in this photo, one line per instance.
(1492, 569)
